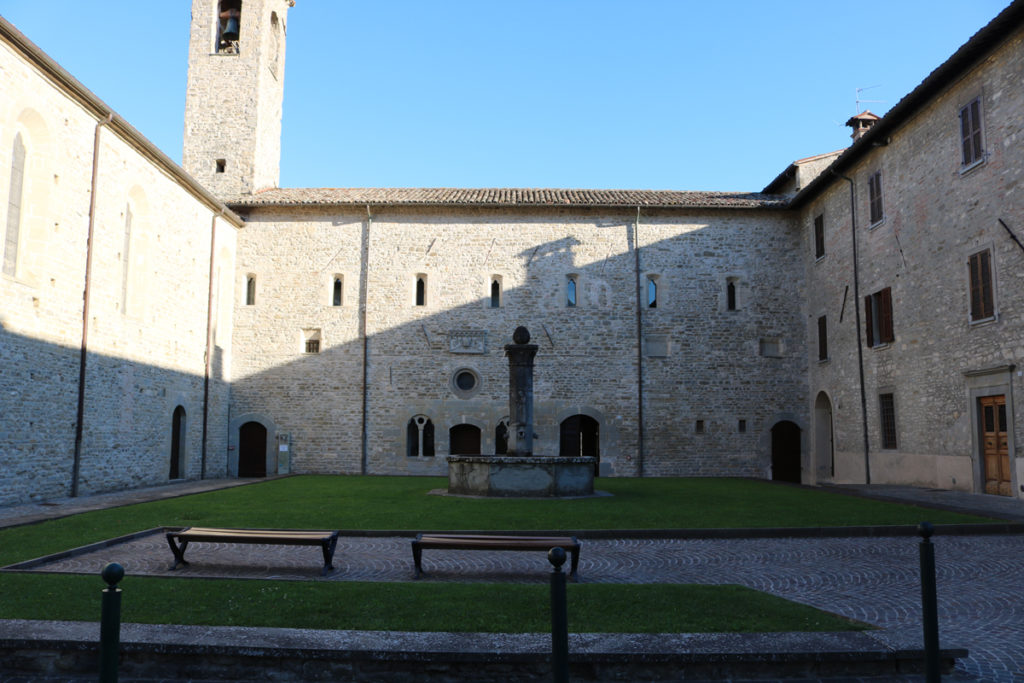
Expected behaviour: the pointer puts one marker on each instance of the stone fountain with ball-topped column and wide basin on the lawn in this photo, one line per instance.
(521, 474)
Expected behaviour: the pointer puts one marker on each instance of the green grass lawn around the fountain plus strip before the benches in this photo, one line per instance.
(404, 503)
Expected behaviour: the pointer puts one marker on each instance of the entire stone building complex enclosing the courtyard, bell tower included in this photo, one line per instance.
(860, 318)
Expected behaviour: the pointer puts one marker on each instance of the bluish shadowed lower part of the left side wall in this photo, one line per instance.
(142, 424)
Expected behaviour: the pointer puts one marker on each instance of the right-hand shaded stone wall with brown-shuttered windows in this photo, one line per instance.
(936, 216)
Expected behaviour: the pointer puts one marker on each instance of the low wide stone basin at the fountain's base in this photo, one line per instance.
(526, 477)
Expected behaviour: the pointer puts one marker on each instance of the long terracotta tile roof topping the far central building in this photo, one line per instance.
(506, 197)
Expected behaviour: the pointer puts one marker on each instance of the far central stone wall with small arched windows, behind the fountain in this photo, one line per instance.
(701, 361)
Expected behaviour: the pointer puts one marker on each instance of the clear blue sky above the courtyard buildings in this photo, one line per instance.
(632, 95)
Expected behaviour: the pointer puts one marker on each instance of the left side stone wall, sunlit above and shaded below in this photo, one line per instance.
(148, 297)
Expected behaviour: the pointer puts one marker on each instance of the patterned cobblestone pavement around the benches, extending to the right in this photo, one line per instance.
(874, 580)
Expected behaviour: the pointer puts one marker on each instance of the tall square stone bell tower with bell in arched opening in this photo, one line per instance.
(236, 91)
